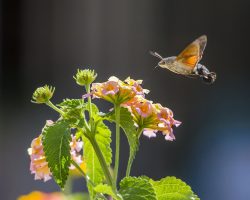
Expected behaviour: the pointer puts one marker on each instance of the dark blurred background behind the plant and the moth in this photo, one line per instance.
(44, 42)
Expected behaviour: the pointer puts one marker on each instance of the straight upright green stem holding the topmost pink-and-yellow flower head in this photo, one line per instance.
(117, 141)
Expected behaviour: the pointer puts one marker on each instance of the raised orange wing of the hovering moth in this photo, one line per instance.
(192, 54)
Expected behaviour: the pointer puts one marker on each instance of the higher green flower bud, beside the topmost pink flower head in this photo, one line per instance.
(85, 77)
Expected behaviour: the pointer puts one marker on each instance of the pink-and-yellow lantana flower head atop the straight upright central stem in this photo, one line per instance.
(117, 91)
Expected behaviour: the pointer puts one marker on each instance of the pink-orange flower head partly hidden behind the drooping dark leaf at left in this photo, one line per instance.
(39, 165)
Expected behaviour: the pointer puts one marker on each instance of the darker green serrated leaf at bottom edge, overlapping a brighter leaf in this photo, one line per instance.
(132, 188)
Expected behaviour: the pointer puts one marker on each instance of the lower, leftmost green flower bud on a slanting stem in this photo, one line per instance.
(43, 94)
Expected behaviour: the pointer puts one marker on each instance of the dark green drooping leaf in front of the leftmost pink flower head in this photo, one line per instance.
(56, 145)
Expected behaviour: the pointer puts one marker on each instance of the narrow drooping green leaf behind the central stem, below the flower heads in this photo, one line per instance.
(127, 124)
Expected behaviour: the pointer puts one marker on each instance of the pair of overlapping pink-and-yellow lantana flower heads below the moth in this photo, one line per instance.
(148, 116)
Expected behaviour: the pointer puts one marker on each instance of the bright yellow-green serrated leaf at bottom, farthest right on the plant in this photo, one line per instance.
(171, 188)
